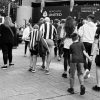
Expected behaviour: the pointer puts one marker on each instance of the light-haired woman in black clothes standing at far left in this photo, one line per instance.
(7, 40)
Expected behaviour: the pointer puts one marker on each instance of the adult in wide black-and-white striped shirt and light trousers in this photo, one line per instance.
(48, 32)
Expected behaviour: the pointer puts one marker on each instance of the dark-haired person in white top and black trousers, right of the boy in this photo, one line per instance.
(87, 33)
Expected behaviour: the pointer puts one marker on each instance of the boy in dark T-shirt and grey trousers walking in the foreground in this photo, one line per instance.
(77, 53)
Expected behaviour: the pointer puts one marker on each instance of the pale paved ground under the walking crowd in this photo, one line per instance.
(16, 83)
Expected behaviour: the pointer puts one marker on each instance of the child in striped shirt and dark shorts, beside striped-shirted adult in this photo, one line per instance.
(34, 38)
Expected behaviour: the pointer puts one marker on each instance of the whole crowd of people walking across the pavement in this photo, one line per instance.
(78, 43)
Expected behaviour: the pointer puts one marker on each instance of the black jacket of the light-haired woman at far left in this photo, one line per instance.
(6, 35)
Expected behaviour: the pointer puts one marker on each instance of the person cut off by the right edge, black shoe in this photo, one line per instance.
(96, 50)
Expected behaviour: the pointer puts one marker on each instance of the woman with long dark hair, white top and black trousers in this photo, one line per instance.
(70, 26)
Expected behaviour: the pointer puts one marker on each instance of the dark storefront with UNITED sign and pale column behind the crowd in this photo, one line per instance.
(56, 9)
